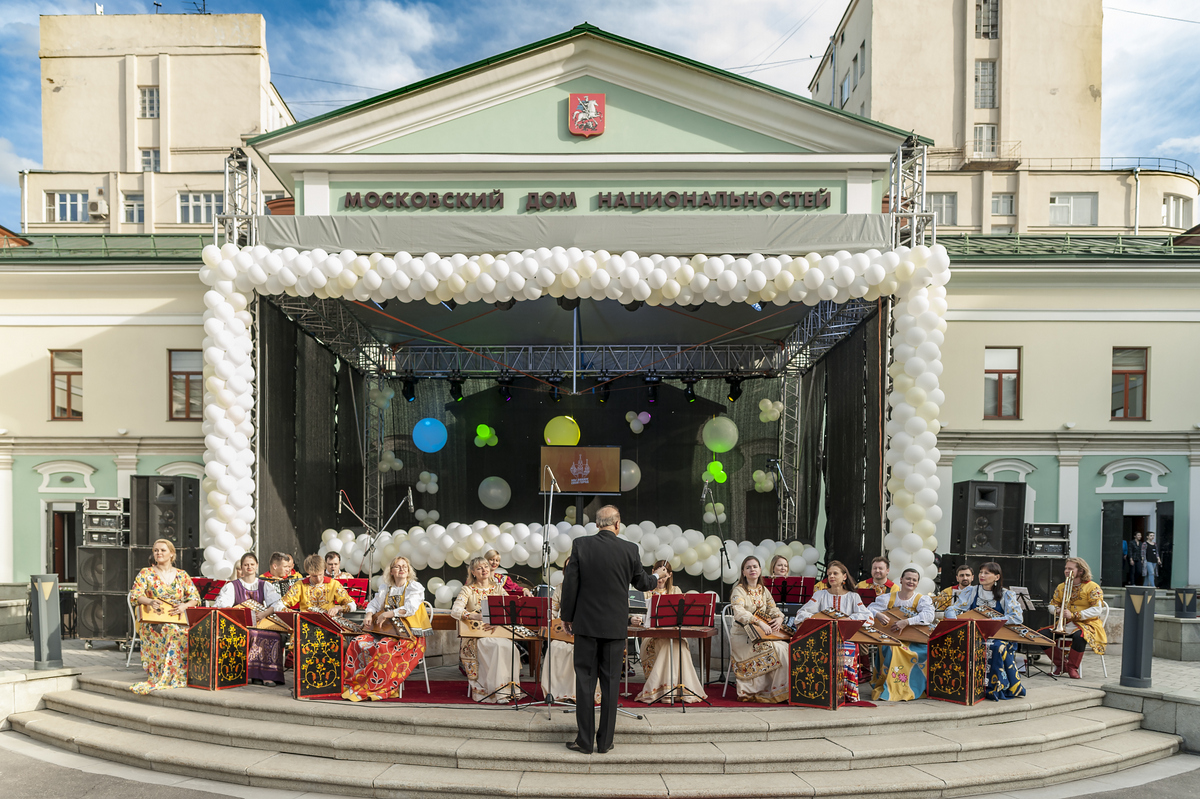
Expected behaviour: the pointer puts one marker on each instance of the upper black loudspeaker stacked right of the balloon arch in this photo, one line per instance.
(988, 519)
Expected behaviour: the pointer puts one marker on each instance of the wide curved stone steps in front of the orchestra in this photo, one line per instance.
(262, 737)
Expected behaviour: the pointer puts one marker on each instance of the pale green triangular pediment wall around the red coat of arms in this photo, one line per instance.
(537, 124)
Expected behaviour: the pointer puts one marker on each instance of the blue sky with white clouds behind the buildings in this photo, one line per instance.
(1151, 105)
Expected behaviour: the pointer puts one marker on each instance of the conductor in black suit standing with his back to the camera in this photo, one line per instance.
(596, 610)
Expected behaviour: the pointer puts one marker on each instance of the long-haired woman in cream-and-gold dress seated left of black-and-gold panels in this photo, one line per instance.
(760, 668)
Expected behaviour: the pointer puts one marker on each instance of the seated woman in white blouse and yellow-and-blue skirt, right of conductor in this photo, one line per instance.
(903, 671)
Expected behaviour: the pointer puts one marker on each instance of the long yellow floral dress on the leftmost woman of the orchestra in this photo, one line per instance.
(164, 646)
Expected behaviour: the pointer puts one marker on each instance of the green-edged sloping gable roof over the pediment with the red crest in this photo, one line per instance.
(579, 31)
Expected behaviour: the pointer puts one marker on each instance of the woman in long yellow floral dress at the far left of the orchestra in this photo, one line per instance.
(163, 587)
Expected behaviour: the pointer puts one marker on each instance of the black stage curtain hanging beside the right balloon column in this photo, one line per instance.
(854, 533)
